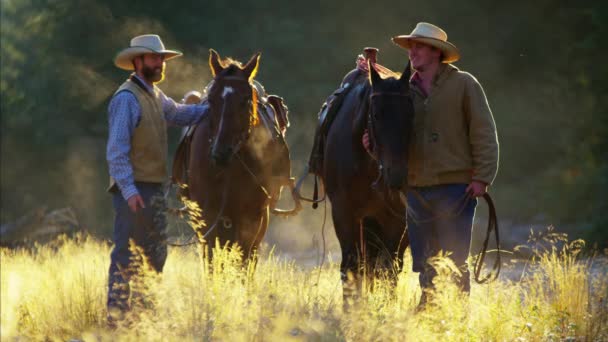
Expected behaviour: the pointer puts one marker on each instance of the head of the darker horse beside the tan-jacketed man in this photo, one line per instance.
(390, 121)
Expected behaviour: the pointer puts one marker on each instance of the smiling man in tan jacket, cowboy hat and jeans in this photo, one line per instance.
(453, 155)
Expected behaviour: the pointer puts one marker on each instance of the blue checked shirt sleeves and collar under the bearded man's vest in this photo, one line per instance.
(124, 114)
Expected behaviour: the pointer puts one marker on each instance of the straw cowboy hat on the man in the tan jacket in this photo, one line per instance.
(431, 35)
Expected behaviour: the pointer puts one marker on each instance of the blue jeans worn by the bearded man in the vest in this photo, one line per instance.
(147, 228)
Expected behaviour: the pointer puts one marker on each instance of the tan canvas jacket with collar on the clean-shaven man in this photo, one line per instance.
(454, 135)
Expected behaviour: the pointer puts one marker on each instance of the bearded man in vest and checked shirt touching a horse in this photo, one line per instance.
(137, 159)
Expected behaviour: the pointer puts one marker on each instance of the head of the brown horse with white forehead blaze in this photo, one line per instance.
(232, 105)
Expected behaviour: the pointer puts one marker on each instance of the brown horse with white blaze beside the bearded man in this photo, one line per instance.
(234, 159)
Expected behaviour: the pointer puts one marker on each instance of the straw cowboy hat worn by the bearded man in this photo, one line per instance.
(147, 43)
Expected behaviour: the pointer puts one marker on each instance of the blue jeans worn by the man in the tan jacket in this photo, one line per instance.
(440, 218)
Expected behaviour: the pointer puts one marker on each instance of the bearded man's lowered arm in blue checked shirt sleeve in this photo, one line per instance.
(124, 114)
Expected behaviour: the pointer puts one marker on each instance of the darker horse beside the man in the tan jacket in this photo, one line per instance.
(368, 215)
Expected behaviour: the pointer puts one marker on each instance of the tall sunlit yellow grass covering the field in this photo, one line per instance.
(58, 292)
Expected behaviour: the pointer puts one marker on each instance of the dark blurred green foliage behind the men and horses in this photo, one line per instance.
(541, 65)
